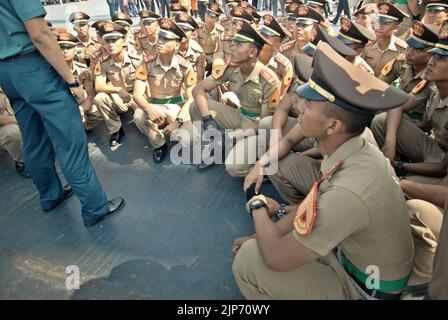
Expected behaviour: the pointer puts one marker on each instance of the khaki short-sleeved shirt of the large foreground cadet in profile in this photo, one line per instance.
(362, 211)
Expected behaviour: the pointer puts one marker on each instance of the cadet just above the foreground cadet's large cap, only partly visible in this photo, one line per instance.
(356, 36)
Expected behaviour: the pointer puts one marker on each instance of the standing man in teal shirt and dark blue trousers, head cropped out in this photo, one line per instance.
(40, 87)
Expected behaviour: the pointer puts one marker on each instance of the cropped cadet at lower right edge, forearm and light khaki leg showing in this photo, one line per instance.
(429, 227)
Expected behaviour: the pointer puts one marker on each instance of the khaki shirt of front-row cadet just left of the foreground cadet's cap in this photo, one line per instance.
(259, 93)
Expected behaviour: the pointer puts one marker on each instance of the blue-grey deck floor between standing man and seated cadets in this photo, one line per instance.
(172, 241)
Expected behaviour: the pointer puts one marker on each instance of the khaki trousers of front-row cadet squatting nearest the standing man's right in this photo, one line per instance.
(154, 132)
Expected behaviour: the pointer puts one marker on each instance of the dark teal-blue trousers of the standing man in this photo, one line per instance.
(51, 127)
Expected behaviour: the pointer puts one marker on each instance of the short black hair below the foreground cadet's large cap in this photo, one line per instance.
(355, 123)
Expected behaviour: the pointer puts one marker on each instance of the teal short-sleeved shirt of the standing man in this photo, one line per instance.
(14, 39)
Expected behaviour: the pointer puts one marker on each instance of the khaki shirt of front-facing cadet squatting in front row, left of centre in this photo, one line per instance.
(166, 82)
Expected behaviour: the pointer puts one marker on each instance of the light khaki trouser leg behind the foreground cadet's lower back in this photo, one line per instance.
(426, 222)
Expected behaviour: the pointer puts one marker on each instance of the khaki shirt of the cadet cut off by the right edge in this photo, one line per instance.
(437, 115)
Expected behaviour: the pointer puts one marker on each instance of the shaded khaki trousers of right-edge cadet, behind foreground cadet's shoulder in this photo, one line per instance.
(412, 143)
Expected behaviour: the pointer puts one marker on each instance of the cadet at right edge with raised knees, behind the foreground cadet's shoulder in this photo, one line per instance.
(423, 152)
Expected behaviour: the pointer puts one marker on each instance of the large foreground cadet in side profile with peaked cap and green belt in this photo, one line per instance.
(346, 240)
